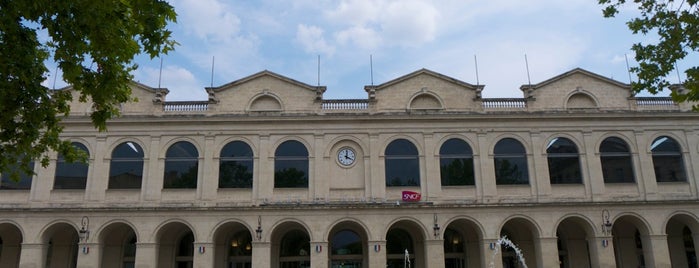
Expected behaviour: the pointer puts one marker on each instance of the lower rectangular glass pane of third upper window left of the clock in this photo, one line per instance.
(181, 174)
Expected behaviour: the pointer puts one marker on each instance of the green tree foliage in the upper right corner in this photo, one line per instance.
(676, 24)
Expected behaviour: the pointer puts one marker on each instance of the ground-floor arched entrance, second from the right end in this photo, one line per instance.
(630, 242)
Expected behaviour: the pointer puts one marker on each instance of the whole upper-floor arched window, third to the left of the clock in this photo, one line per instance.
(181, 166)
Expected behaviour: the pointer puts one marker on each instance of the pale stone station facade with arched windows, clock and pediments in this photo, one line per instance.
(562, 208)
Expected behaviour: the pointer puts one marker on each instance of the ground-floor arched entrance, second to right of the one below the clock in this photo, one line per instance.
(462, 245)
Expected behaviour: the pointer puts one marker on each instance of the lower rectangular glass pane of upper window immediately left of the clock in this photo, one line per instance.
(290, 173)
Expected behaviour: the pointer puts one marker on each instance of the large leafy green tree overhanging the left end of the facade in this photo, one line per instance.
(93, 43)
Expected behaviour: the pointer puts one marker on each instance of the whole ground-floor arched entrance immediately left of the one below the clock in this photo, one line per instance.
(291, 246)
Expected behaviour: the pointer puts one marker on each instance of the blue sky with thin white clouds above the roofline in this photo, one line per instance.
(402, 36)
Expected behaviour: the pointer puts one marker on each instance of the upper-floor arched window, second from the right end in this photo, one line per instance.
(616, 161)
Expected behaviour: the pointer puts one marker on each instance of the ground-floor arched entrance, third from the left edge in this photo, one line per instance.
(118, 246)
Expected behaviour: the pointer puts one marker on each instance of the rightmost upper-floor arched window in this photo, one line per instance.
(667, 160)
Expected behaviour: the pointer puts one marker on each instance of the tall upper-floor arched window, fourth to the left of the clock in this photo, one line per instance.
(126, 166)
